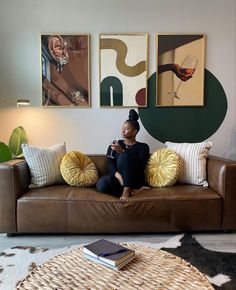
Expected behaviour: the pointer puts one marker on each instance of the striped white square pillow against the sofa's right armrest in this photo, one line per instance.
(193, 165)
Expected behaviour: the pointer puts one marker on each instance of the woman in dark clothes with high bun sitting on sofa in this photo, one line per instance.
(126, 161)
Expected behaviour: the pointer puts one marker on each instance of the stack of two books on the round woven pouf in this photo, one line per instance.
(108, 253)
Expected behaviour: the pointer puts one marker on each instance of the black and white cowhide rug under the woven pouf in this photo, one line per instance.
(219, 267)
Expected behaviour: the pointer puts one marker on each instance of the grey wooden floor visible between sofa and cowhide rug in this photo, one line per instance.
(225, 242)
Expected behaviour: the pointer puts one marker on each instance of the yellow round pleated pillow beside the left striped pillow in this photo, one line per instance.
(78, 169)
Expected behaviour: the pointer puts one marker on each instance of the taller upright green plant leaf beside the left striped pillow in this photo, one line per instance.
(17, 138)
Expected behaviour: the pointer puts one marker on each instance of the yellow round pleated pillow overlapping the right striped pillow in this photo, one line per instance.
(163, 168)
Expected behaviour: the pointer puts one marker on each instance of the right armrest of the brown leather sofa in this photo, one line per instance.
(222, 179)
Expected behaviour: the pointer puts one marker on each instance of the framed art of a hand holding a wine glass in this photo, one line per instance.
(180, 69)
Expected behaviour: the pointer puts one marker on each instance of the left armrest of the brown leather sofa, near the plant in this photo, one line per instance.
(14, 181)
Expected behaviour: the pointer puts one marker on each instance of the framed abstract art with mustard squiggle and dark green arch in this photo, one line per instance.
(123, 70)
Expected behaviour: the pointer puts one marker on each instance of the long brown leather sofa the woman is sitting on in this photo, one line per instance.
(65, 209)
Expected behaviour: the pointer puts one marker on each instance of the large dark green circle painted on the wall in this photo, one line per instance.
(185, 124)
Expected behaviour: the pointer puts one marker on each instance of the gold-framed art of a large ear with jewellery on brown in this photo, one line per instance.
(65, 67)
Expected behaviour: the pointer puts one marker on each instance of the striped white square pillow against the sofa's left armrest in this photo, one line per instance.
(44, 163)
